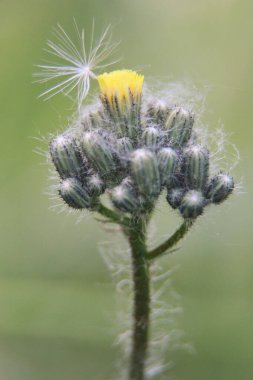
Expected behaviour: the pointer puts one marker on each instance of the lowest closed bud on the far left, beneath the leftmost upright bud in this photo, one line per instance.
(74, 194)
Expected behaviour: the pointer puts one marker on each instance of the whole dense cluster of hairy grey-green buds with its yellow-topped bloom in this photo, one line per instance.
(133, 155)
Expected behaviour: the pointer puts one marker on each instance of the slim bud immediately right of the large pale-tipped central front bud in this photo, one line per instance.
(167, 161)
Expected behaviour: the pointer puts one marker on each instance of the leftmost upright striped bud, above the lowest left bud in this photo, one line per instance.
(66, 156)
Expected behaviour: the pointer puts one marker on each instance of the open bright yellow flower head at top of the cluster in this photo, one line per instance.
(121, 89)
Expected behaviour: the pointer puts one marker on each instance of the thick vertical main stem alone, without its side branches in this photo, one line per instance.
(137, 241)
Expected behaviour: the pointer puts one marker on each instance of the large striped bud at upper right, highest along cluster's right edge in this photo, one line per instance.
(179, 124)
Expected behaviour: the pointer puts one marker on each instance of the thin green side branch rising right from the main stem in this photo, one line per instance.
(172, 240)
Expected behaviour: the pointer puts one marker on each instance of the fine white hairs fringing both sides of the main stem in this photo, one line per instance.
(165, 306)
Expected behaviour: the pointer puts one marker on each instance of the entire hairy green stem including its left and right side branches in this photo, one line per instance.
(135, 231)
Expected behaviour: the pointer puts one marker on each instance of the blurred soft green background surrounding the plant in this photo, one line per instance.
(57, 300)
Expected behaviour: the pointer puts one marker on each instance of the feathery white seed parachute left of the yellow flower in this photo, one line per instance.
(75, 64)
